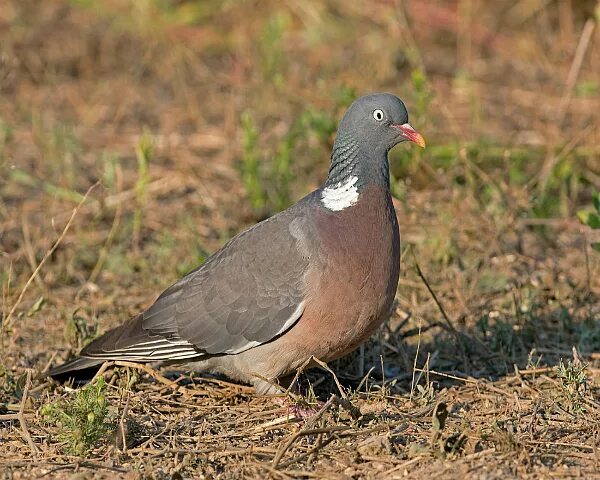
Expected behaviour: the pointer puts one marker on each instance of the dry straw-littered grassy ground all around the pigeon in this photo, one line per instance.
(200, 118)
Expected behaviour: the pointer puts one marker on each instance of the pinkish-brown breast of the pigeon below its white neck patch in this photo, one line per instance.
(353, 279)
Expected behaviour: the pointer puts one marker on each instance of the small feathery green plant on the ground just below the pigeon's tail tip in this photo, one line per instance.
(83, 420)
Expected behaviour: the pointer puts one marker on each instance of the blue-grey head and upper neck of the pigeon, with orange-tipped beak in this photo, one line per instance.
(370, 128)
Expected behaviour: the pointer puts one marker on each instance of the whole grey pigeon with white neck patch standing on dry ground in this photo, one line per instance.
(311, 282)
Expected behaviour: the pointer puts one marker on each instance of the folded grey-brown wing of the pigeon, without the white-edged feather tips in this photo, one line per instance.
(248, 293)
